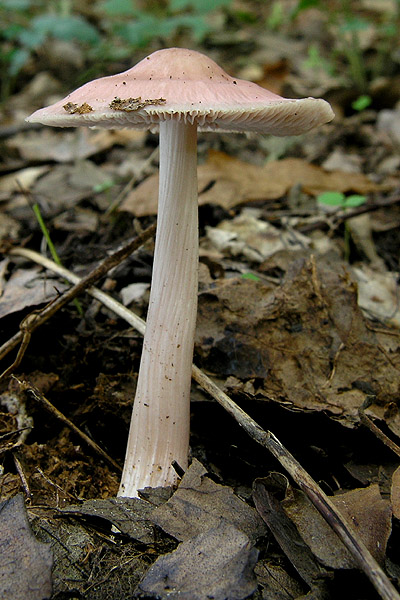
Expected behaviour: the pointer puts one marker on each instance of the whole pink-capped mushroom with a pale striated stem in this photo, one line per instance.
(176, 92)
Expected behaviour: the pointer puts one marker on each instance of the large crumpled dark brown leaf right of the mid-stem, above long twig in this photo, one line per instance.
(305, 341)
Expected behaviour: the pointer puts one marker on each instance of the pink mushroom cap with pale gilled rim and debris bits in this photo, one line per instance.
(186, 86)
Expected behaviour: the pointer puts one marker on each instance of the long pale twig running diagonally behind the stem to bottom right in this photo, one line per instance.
(323, 504)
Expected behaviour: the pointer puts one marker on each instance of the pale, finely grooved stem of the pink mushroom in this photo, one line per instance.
(159, 431)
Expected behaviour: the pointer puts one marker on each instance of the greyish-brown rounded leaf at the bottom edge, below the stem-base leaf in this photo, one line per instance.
(217, 564)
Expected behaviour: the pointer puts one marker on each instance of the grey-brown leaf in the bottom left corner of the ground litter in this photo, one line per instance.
(25, 563)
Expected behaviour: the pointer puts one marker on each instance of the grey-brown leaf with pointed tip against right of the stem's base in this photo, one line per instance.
(199, 504)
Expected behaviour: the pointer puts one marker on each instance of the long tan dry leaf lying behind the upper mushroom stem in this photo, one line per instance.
(228, 182)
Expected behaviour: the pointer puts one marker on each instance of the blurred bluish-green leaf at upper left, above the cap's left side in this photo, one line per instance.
(72, 27)
